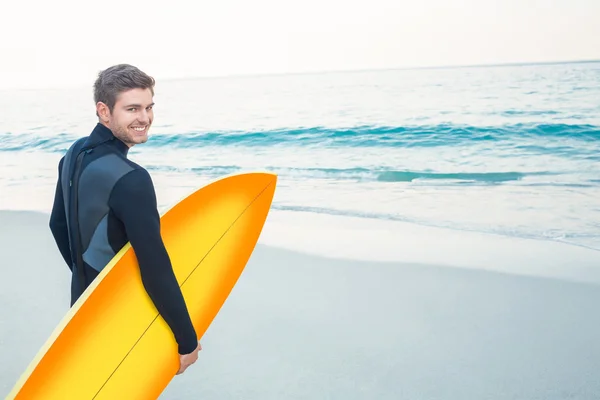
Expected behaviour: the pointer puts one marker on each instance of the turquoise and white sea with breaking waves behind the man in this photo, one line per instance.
(510, 150)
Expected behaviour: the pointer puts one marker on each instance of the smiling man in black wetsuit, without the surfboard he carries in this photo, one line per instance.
(103, 200)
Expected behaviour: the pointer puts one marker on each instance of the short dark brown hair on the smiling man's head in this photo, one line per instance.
(117, 79)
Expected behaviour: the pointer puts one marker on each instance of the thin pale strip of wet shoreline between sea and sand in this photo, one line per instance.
(358, 239)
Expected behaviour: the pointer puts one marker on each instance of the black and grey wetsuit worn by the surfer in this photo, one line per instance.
(116, 204)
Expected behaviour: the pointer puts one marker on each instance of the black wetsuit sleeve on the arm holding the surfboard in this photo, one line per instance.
(133, 200)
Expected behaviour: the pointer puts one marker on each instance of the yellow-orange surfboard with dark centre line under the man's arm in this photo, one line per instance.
(113, 344)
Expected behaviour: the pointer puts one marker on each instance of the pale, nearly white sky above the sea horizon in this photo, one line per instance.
(66, 42)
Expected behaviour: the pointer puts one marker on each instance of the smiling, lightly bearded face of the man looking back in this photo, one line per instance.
(131, 117)
